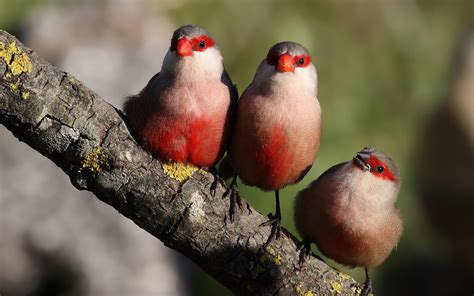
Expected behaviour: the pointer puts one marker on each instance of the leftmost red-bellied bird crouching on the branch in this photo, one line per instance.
(184, 113)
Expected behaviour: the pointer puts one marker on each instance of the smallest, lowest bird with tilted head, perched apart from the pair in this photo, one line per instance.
(350, 212)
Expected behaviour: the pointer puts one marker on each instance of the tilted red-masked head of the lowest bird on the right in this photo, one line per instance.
(377, 163)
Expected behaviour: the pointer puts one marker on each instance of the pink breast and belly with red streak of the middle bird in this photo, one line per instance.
(276, 137)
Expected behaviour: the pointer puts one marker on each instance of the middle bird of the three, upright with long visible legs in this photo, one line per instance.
(277, 127)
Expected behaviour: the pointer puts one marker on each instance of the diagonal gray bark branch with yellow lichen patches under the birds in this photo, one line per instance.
(89, 140)
